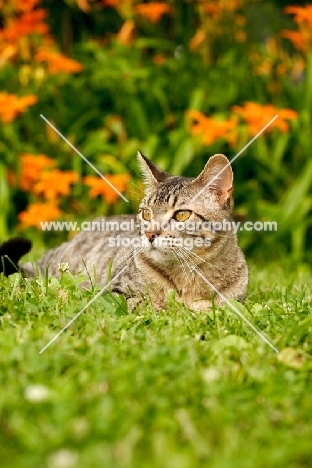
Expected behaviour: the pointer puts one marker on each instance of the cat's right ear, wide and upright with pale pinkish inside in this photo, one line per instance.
(217, 177)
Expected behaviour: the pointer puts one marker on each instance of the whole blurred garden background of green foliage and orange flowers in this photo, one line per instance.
(177, 80)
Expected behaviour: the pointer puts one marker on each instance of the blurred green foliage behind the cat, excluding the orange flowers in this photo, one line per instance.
(124, 101)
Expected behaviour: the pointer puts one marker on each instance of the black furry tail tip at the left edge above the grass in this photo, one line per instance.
(10, 254)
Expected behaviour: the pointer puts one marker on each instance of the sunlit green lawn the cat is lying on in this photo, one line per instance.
(163, 390)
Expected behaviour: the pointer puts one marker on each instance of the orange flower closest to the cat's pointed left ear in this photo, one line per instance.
(100, 187)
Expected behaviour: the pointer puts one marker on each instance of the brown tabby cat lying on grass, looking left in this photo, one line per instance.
(165, 256)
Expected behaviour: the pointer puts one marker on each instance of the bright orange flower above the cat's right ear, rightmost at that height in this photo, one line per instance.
(258, 115)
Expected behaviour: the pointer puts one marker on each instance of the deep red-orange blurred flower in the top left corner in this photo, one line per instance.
(29, 23)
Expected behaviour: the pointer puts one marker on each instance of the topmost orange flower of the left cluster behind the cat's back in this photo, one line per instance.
(32, 167)
